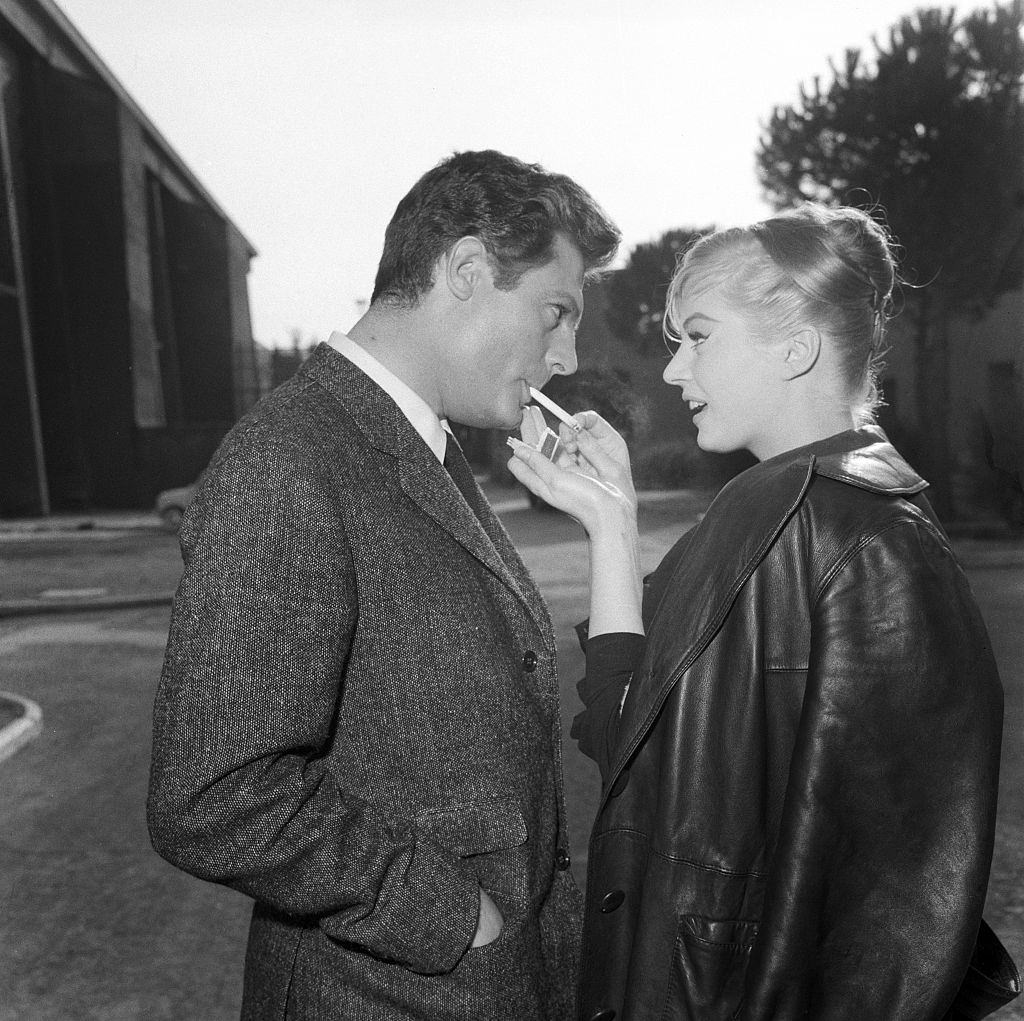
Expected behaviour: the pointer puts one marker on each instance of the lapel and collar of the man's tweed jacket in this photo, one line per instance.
(422, 478)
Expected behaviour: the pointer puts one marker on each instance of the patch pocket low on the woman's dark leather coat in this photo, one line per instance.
(709, 967)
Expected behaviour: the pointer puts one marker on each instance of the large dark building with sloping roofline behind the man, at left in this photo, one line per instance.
(126, 348)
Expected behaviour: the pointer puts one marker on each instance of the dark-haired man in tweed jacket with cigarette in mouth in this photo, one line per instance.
(358, 719)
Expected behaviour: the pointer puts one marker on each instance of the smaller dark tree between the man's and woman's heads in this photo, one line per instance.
(636, 293)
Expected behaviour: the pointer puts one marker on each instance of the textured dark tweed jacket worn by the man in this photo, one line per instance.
(358, 721)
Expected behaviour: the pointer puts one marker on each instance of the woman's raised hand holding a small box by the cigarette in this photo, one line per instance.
(590, 480)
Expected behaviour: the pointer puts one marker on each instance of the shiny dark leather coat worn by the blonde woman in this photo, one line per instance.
(799, 801)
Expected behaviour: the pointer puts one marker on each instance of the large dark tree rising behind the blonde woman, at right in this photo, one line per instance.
(931, 131)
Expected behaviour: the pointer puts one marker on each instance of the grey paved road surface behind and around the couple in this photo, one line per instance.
(95, 926)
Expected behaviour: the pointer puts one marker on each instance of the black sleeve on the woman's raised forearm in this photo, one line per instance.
(611, 661)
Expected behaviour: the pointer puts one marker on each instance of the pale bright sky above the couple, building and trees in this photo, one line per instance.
(309, 120)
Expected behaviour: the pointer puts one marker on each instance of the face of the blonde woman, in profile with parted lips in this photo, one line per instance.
(729, 376)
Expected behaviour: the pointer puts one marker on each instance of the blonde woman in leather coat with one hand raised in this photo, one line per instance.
(801, 758)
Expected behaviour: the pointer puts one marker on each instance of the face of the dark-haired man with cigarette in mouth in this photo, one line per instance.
(516, 339)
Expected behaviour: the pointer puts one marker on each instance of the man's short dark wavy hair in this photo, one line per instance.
(515, 208)
